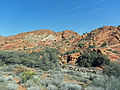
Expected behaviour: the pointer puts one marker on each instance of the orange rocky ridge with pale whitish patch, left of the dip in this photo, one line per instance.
(38, 40)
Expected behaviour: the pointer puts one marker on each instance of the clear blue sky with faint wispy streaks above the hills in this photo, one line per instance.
(18, 16)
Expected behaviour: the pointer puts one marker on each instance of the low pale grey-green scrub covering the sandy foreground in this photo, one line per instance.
(55, 80)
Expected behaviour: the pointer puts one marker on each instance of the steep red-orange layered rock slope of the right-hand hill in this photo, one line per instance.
(111, 36)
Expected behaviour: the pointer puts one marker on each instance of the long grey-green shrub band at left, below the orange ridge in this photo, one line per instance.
(48, 61)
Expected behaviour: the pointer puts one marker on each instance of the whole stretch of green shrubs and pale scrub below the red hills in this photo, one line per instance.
(41, 71)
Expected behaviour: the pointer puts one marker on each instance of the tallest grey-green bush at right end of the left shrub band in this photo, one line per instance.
(49, 60)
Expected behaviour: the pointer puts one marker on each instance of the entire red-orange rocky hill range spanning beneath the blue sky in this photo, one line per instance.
(104, 40)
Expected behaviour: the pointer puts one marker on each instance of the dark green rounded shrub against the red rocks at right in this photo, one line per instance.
(92, 59)
